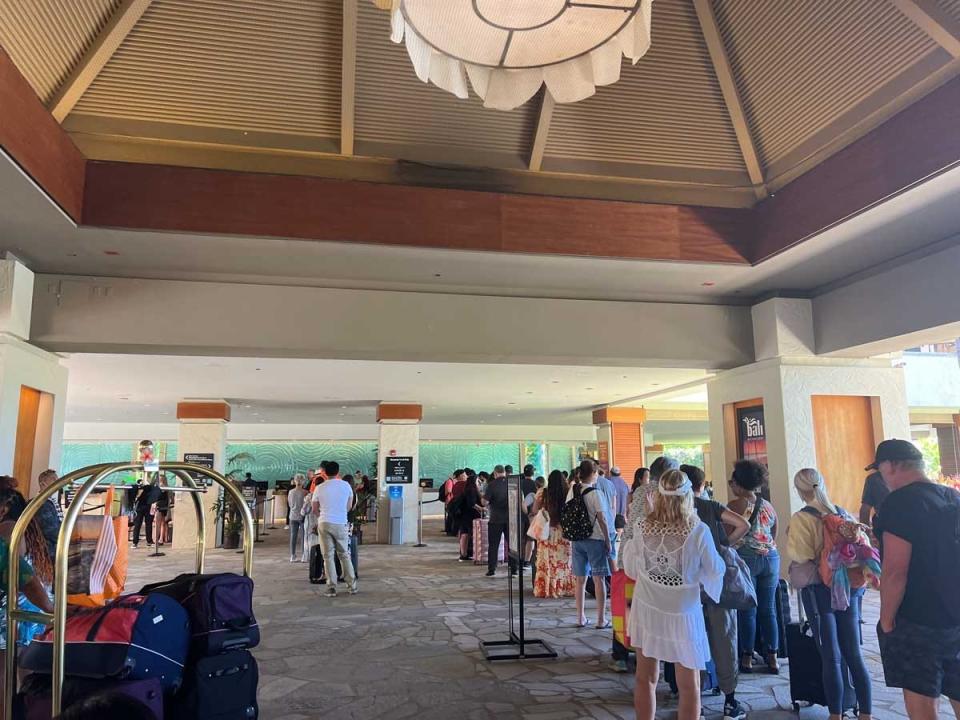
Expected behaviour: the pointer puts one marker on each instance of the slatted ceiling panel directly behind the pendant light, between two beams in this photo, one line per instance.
(393, 106)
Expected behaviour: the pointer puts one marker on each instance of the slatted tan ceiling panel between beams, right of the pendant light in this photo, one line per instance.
(666, 110)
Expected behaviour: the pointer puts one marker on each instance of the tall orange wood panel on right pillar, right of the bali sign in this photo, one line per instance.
(845, 443)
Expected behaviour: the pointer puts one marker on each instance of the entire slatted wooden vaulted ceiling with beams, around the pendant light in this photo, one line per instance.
(736, 98)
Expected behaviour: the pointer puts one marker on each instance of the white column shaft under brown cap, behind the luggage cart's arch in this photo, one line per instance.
(199, 436)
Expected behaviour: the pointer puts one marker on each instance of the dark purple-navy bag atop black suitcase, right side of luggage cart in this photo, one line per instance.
(220, 607)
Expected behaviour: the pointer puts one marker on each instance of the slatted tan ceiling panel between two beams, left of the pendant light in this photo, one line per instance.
(237, 64)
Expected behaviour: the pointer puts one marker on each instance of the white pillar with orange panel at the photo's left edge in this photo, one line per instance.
(33, 386)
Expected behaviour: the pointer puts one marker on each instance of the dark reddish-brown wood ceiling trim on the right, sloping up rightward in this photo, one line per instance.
(917, 143)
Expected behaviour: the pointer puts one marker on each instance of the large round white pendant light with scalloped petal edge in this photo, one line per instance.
(509, 48)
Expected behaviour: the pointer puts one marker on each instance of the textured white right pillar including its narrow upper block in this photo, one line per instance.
(793, 386)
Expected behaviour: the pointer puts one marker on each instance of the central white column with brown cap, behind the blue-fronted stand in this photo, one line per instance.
(399, 437)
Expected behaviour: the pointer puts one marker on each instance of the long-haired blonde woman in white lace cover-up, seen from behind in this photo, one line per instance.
(670, 556)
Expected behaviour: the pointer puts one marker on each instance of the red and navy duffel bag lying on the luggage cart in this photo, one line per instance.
(137, 637)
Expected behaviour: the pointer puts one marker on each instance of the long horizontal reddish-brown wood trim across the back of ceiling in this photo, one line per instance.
(196, 200)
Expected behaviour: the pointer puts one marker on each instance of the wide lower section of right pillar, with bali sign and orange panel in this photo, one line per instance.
(816, 412)
